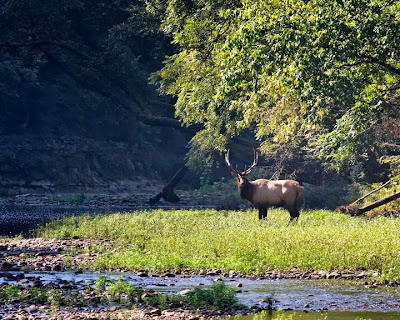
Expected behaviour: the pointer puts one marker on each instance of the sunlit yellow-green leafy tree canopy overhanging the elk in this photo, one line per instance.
(323, 75)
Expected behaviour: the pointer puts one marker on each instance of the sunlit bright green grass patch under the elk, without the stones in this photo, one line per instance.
(235, 240)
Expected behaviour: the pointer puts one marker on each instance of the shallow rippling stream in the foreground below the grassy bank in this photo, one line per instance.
(341, 299)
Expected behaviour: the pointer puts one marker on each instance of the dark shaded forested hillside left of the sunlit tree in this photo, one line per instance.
(77, 111)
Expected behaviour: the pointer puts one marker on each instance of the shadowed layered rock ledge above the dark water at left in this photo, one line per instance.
(37, 163)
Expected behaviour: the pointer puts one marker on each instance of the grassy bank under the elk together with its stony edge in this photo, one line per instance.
(322, 245)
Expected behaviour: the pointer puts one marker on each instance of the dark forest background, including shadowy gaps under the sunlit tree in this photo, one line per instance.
(78, 112)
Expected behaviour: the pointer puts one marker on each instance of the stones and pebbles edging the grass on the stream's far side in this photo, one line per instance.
(78, 254)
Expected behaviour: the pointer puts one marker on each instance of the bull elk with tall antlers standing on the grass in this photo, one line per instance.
(264, 193)
